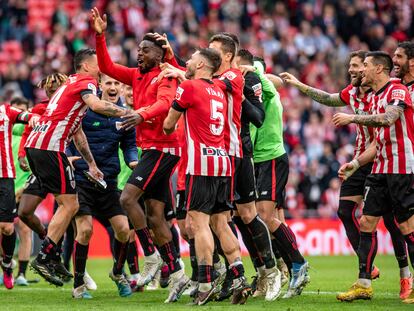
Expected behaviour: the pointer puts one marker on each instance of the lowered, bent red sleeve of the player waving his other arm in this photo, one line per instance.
(165, 95)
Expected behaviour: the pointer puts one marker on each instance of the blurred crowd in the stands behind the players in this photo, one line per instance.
(309, 38)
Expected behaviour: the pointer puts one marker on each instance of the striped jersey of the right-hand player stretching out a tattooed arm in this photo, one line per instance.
(360, 106)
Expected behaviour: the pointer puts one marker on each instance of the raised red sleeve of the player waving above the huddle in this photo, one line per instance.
(108, 67)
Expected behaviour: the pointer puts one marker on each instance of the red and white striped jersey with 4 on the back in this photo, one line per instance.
(63, 115)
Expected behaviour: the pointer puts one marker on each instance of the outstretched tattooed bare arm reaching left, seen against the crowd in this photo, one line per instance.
(327, 99)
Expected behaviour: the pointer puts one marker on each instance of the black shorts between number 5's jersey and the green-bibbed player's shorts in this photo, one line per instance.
(243, 180)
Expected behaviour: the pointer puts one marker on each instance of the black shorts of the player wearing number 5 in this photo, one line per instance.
(207, 194)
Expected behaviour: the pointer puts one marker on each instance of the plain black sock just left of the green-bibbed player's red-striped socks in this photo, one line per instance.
(261, 239)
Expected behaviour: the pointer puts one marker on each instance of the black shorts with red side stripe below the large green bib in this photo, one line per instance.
(271, 180)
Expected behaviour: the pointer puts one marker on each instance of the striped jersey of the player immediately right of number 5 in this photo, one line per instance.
(232, 82)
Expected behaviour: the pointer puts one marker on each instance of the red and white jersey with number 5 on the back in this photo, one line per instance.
(205, 110)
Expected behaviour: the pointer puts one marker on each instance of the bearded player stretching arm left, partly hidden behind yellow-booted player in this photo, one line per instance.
(359, 98)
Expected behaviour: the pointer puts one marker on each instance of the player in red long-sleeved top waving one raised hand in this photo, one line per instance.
(151, 177)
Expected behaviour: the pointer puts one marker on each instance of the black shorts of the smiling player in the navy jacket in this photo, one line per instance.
(102, 204)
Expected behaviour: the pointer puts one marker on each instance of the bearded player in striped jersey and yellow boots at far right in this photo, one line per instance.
(389, 185)
